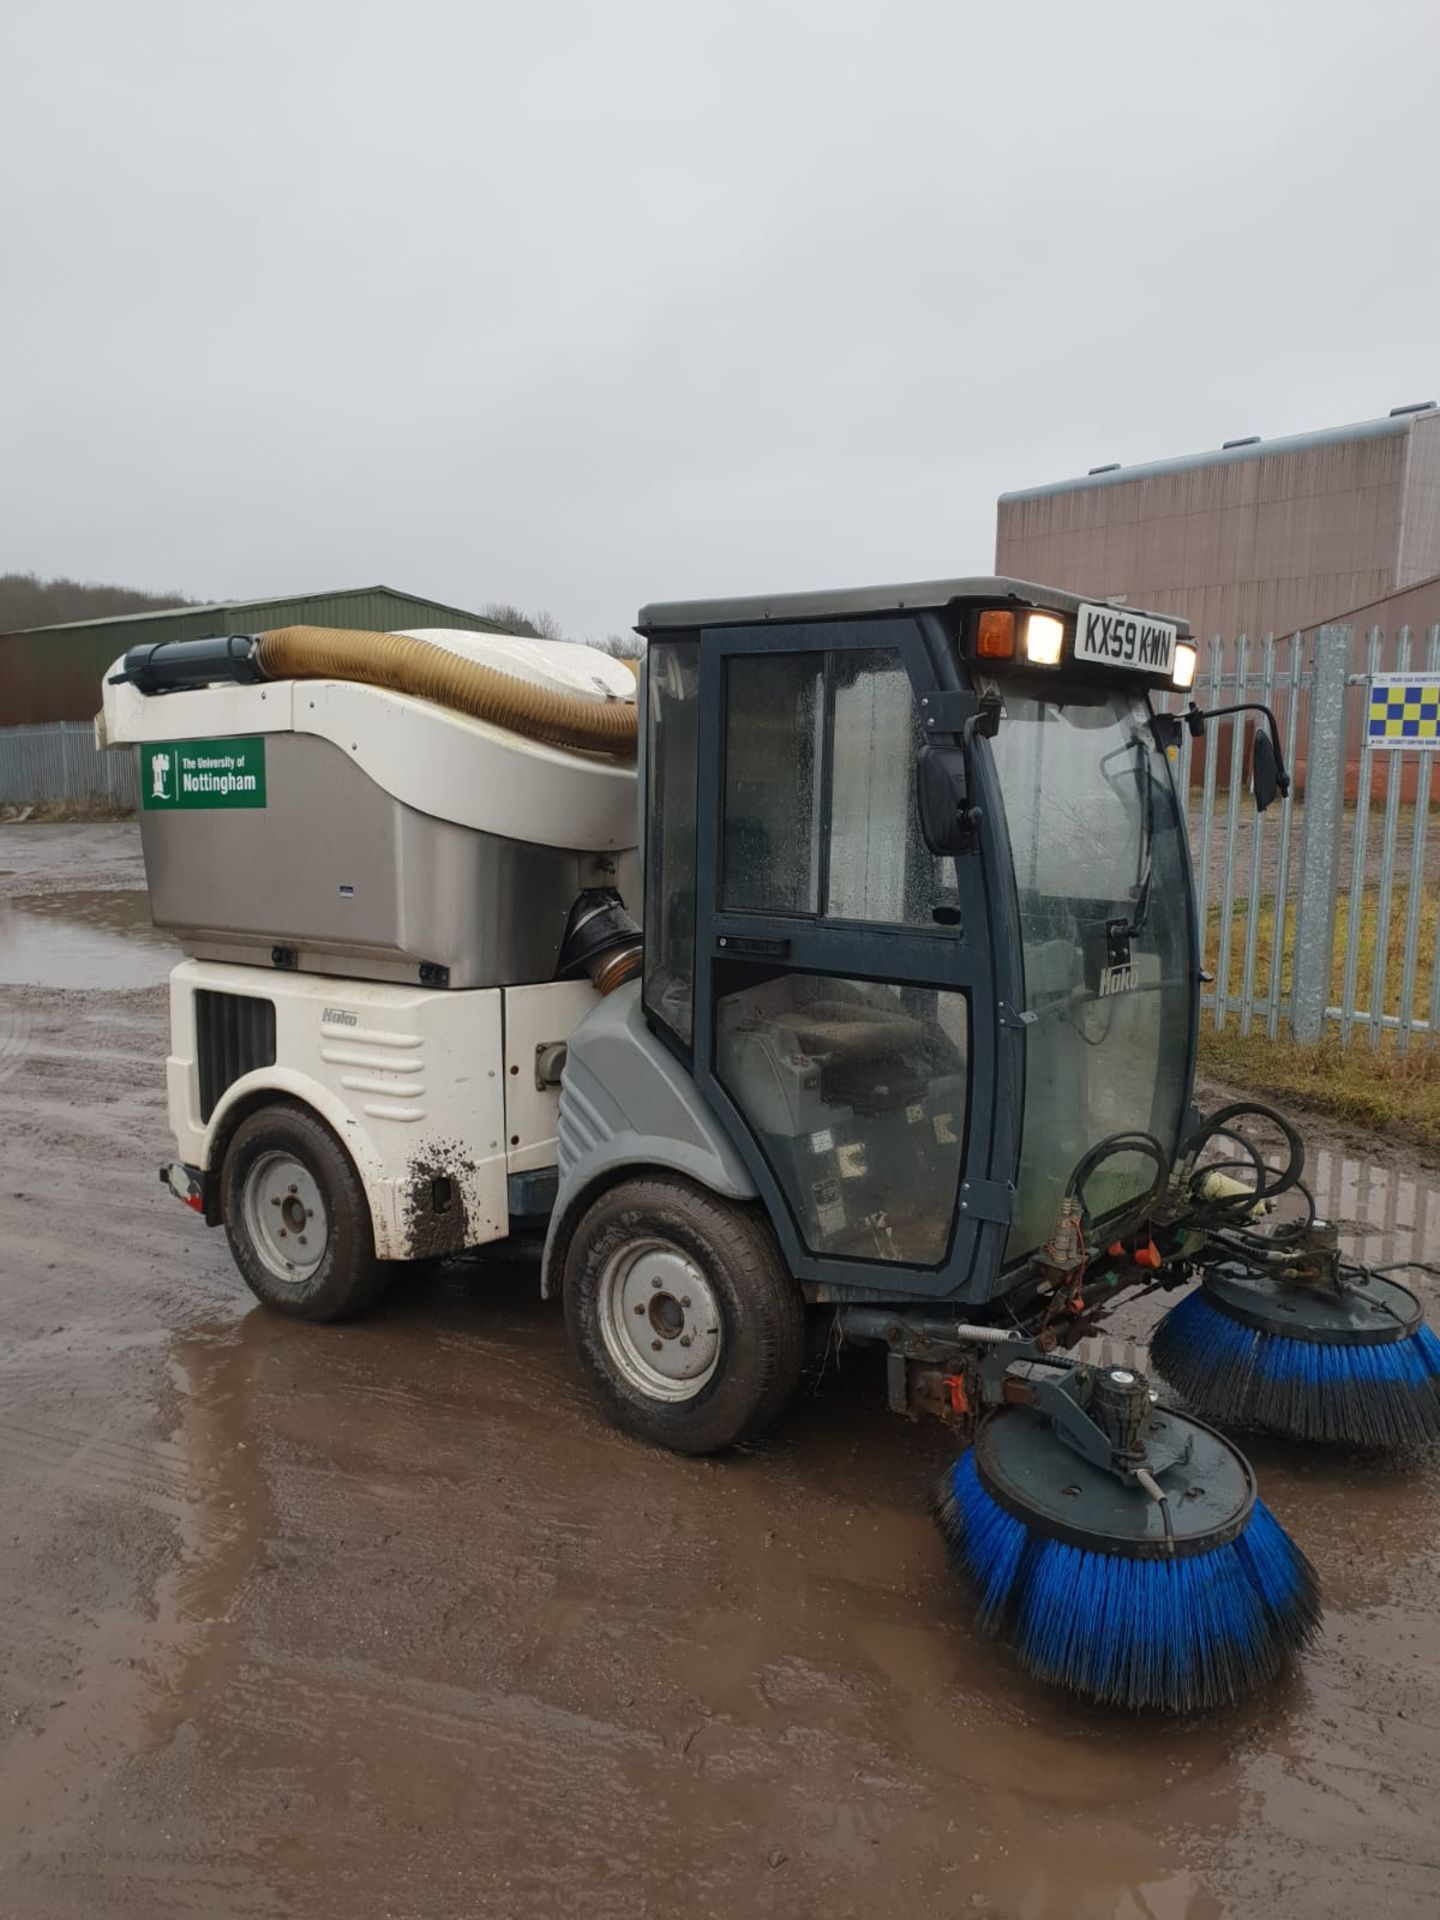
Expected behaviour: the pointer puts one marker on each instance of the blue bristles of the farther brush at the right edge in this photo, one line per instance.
(1385, 1397)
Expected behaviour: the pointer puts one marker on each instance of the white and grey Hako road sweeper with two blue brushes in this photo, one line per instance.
(905, 1049)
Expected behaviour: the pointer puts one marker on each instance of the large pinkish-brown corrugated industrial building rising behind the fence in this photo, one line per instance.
(1260, 537)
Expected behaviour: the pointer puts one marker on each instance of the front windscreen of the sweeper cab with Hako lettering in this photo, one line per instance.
(1095, 834)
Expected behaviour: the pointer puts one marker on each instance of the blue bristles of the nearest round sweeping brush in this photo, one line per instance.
(1180, 1635)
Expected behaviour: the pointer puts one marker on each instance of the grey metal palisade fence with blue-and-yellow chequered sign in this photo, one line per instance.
(1320, 915)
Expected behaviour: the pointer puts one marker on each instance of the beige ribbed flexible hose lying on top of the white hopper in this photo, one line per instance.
(433, 673)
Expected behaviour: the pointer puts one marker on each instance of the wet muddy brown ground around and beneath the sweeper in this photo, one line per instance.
(385, 1620)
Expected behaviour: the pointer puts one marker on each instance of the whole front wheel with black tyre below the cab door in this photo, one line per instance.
(683, 1312)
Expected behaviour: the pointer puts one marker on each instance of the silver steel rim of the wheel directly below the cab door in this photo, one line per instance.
(660, 1320)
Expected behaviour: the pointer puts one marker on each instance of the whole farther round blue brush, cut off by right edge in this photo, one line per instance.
(1358, 1370)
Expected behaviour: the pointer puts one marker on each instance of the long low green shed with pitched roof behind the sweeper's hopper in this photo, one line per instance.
(53, 673)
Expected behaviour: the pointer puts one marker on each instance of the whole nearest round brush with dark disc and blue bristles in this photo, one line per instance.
(1072, 1568)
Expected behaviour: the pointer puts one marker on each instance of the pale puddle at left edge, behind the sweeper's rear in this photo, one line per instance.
(84, 940)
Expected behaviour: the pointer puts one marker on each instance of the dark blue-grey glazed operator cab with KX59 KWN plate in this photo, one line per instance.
(919, 913)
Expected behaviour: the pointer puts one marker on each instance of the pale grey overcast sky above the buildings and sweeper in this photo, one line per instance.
(590, 304)
